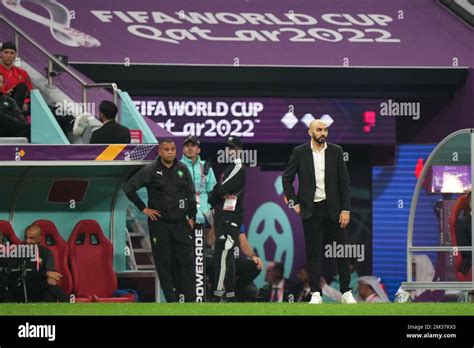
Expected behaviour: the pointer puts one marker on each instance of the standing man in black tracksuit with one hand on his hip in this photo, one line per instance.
(171, 215)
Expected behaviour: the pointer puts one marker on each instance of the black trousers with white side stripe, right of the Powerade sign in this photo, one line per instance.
(227, 237)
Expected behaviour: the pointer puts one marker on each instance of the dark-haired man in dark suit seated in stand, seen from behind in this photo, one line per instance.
(111, 132)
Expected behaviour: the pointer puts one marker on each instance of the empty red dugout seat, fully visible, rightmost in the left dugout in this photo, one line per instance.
(91, 261)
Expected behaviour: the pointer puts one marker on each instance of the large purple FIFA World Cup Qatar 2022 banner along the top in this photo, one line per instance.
(247, 32)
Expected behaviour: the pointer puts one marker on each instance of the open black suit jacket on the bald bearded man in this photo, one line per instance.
(336, 180)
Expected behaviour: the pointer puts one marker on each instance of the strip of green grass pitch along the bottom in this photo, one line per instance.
(258, 309)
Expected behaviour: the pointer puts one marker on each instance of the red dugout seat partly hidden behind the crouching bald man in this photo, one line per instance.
(51, 239)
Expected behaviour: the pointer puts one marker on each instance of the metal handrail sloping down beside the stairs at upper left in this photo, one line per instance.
(53, 60)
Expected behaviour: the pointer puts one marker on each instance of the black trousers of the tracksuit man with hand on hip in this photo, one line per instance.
(172, 241)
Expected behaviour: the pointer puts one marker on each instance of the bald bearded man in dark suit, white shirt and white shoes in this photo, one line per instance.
(323, 202)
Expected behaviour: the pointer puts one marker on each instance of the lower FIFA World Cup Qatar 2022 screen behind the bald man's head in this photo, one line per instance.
(269, 120)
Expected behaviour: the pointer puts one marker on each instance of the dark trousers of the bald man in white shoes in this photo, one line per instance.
(318, 226)
